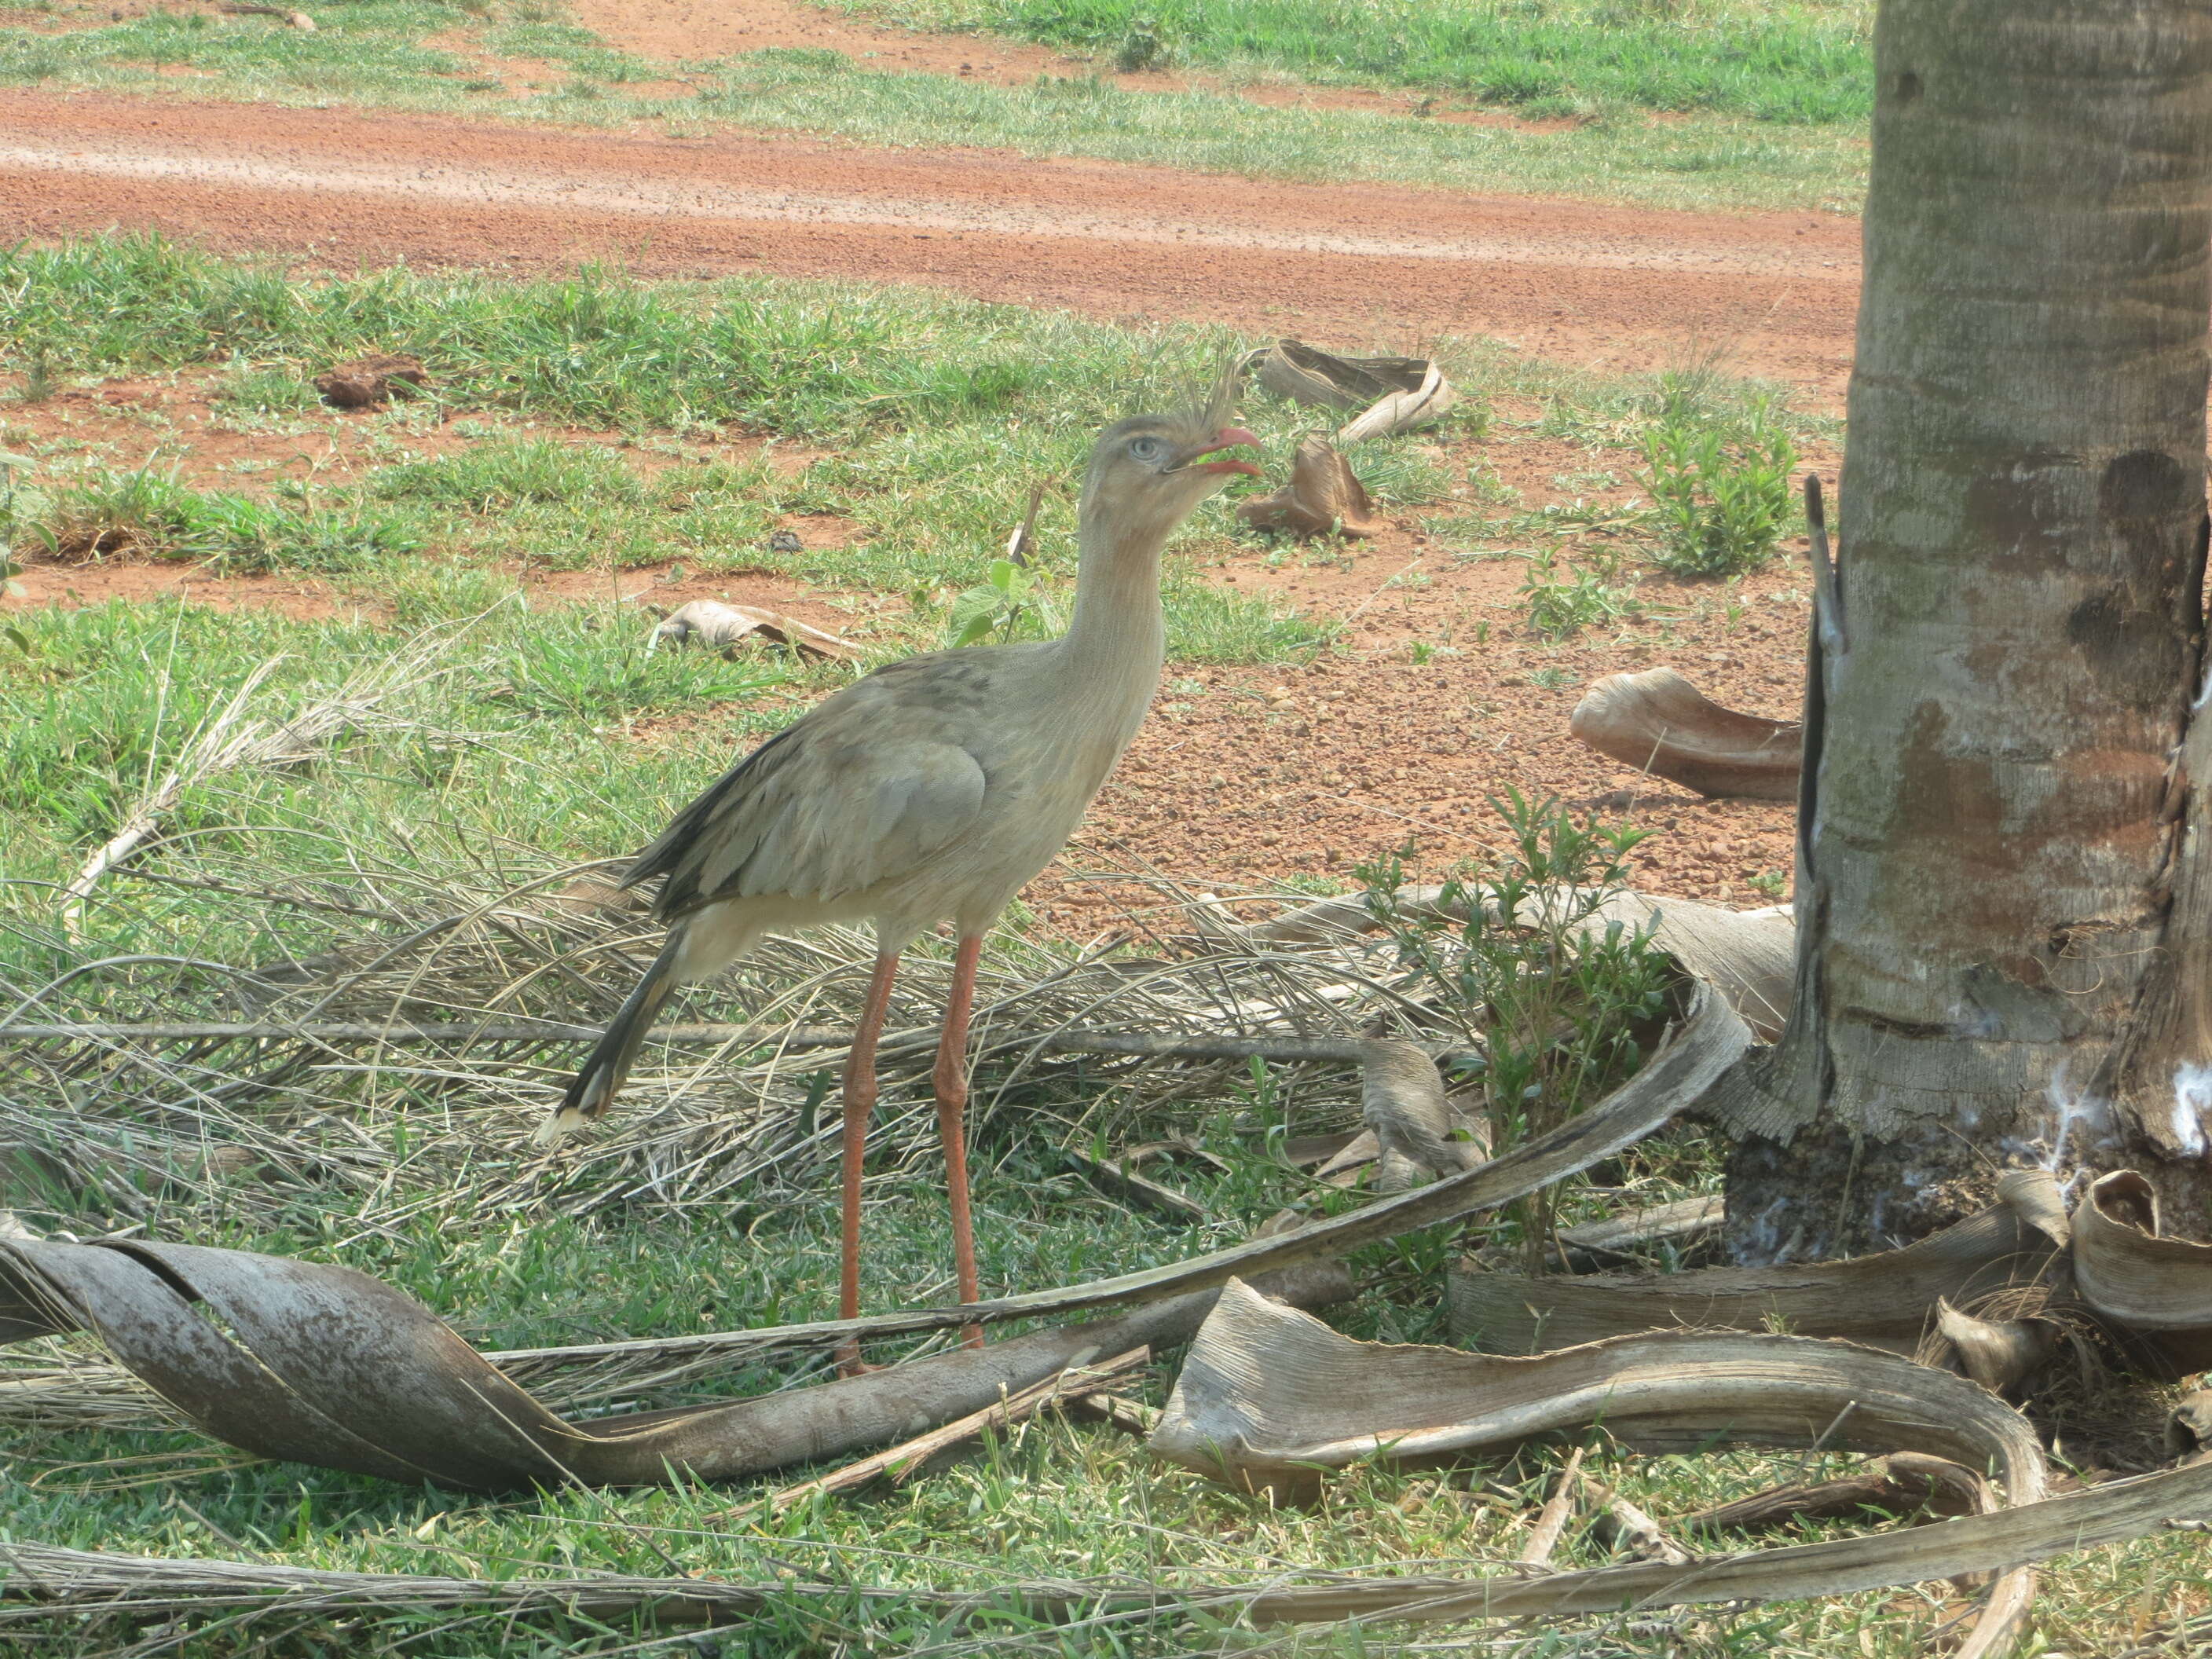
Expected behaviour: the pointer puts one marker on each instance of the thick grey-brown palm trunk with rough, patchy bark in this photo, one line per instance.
(2003, 899)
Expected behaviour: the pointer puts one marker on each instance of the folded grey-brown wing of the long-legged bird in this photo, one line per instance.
(862, 791)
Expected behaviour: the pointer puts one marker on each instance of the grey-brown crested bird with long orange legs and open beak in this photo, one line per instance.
(930, 793)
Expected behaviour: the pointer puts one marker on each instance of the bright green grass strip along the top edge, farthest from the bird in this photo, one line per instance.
(1775, 63)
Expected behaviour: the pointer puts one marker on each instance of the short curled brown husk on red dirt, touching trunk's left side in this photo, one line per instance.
(1658, 722)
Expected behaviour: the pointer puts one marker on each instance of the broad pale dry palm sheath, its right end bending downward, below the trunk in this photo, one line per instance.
(1271, 1399)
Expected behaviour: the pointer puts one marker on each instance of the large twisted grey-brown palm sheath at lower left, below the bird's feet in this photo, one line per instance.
(326, 1366)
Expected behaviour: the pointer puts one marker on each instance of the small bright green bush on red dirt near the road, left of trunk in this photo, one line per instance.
(1720, 488)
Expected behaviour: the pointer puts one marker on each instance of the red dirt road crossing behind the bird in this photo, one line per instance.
(1344, 264)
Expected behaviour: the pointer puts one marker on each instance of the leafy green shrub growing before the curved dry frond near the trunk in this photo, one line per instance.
(1567, 1001)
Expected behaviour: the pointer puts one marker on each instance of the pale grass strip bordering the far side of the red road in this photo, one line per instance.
(375, 54)
